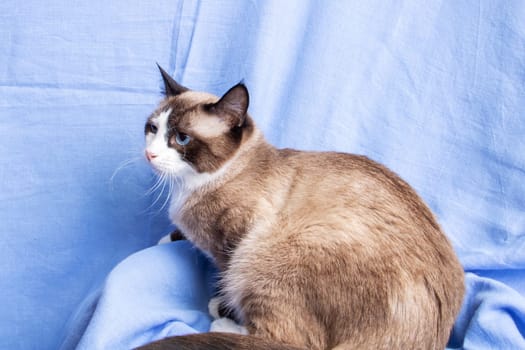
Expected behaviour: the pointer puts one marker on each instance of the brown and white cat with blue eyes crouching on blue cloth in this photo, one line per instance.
(317, 250)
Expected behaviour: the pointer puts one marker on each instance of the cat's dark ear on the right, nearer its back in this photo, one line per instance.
(233, 105)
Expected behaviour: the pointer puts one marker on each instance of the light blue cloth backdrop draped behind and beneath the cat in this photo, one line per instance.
(434, 90)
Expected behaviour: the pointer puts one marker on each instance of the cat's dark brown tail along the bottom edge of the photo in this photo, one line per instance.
(216, 341)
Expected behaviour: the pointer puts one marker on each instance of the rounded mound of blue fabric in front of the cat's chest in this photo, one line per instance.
(155, 293)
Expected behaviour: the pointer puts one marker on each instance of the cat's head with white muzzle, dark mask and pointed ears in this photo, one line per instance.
(195, 132)
